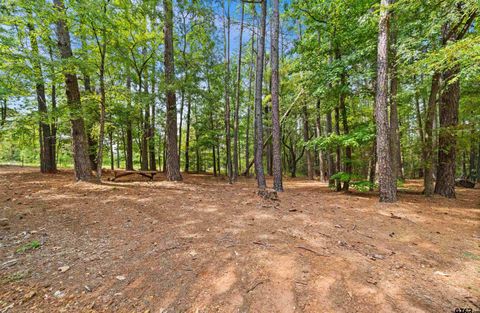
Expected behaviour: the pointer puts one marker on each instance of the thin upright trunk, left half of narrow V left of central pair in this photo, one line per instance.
(227, 94)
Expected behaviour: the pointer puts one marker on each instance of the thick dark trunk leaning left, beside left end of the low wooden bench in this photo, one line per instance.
(79, 141)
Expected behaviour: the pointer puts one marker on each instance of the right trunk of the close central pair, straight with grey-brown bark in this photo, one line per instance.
(276, 129)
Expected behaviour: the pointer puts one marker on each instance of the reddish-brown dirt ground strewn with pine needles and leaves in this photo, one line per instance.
(203, 245)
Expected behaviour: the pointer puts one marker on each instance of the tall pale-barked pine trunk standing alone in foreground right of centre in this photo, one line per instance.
(387, 183)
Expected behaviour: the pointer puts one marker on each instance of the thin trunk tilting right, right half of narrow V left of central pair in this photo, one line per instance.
(237, 103)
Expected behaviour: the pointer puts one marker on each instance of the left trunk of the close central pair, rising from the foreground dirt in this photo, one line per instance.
(258, 101)
